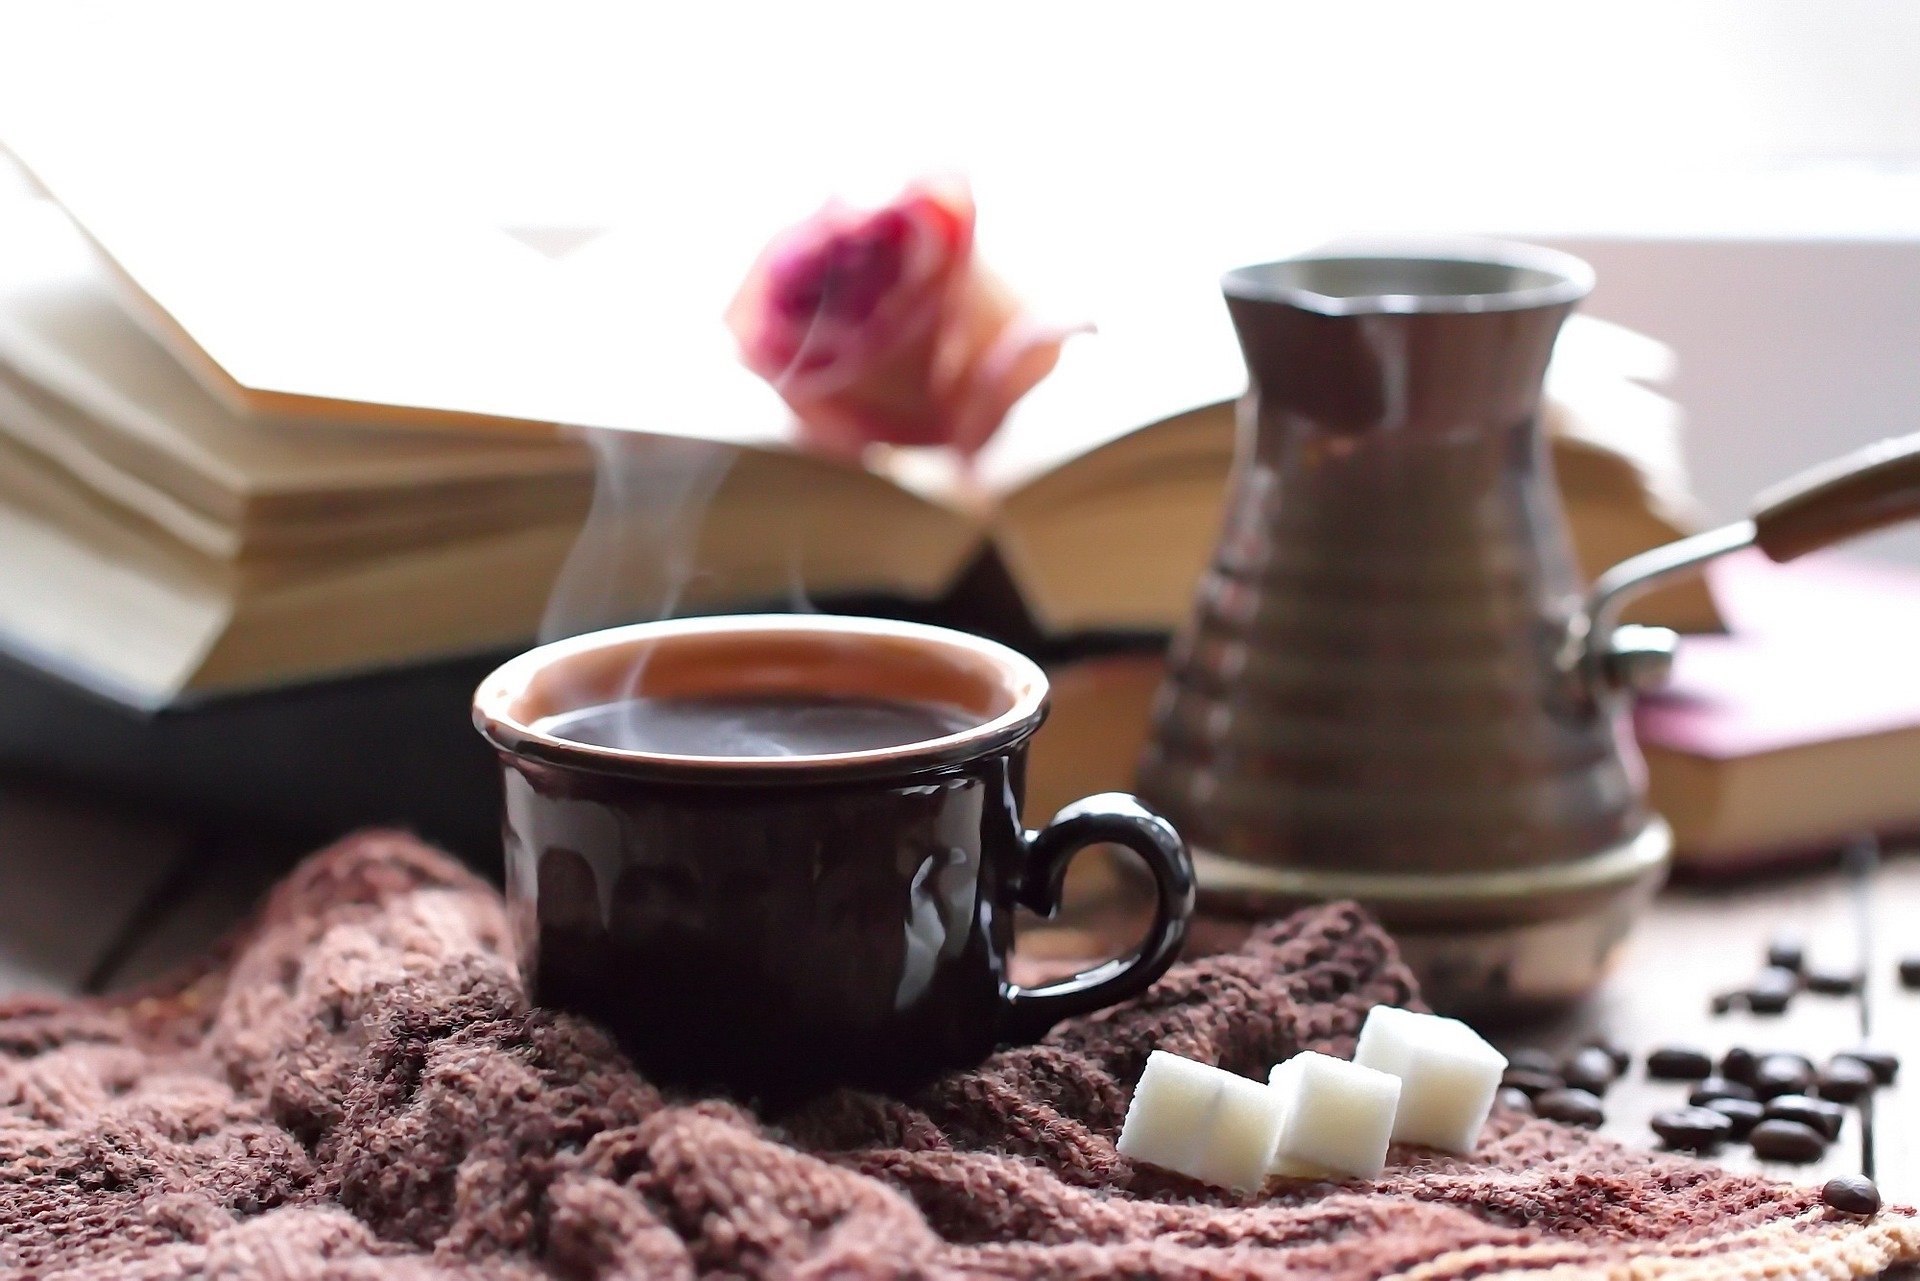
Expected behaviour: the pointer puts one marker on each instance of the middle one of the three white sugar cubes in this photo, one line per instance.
(1339, 1117)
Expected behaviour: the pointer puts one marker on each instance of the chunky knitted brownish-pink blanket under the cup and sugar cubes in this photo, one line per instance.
(360, 1090)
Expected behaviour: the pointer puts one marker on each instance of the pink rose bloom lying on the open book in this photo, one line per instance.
(878, 327)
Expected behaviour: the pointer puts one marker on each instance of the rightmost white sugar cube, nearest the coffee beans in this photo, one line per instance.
(1447, 1073)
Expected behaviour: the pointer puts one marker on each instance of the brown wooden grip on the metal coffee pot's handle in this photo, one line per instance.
(1856, 495)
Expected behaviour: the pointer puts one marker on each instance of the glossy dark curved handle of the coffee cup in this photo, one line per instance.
(1111, 817)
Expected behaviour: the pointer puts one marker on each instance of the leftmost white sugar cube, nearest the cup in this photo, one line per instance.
(1199, 1121)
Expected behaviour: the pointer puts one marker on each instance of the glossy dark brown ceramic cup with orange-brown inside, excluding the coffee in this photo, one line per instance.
(782, 925)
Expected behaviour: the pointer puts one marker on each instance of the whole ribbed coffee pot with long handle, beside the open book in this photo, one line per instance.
(1395, 687)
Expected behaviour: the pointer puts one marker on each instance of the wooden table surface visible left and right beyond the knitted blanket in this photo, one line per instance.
(97, 898)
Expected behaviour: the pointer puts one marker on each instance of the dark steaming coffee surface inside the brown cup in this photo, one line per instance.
(757, 725)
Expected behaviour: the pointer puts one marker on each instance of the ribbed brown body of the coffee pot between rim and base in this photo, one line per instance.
(1370, 677)
